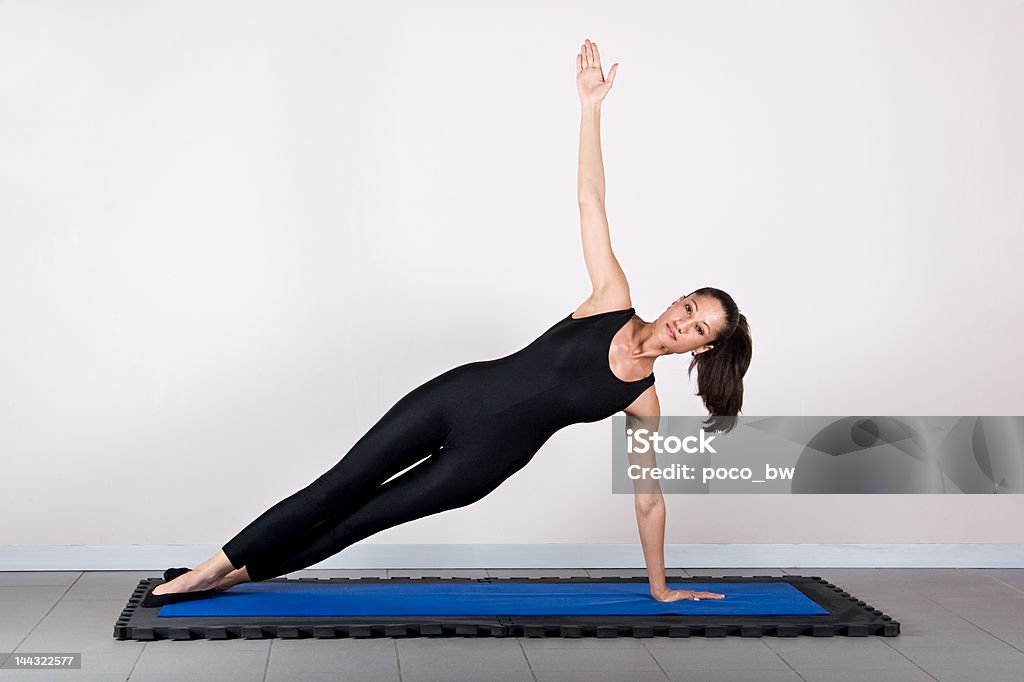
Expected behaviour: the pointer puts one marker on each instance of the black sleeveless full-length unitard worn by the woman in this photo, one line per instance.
(477, 425)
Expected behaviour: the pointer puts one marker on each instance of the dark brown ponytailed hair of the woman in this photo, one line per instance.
(721, 369)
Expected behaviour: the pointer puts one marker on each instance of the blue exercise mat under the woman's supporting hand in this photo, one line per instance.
(435, 600)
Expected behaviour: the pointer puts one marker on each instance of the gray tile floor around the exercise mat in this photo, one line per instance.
(958, 625)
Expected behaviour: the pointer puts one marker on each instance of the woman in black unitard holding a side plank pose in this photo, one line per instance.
(480, 423)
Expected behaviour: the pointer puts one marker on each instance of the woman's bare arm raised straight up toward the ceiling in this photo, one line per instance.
(611, 289)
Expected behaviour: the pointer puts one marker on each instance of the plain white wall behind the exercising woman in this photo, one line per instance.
(235, 233)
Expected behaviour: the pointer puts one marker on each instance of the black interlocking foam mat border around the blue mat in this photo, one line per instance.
(847, 617)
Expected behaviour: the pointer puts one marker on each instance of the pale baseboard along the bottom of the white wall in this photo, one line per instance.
(553, 556)
